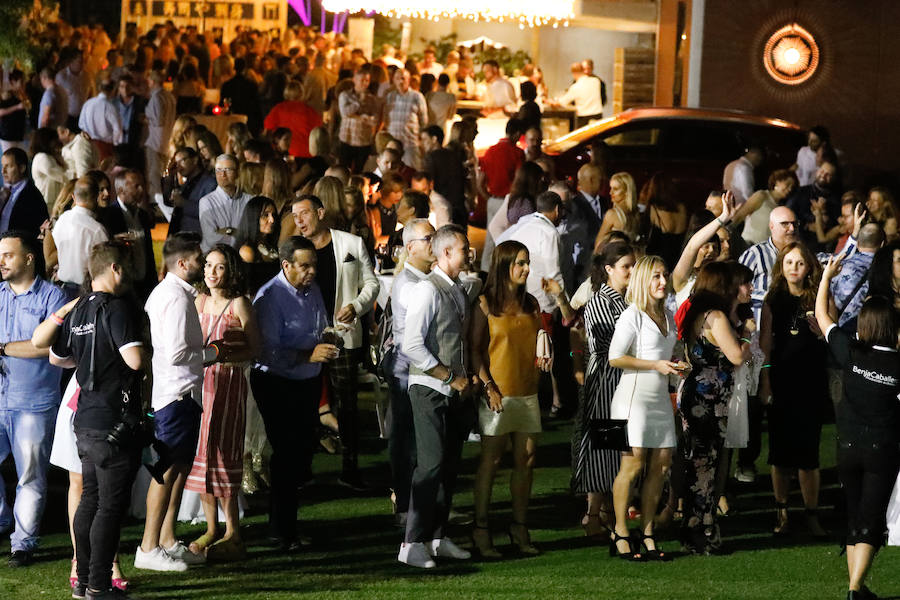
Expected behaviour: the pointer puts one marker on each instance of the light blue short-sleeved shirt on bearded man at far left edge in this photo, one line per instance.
(30, 384)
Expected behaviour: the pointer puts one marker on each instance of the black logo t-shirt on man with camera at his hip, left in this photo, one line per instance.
(101, 324)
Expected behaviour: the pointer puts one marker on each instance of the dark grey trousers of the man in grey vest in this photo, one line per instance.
(441, 427)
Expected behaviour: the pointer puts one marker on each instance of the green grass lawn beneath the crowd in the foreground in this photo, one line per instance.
(355, 549)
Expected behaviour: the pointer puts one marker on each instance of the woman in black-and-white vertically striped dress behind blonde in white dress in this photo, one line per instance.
(595, 469)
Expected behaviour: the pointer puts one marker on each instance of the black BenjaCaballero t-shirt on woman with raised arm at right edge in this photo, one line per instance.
(869, 412)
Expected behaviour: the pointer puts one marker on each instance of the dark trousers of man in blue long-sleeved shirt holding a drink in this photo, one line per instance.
(290, 412)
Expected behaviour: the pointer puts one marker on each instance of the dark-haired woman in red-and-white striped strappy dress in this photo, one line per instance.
(225, 313)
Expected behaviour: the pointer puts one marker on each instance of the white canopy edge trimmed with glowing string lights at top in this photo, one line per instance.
(527, 13)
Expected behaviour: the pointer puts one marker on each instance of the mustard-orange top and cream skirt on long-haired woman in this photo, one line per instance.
(512, 353)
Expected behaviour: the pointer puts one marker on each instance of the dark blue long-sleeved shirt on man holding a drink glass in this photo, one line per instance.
(289, 320)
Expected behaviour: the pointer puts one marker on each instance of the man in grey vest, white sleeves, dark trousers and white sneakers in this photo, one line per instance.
(436, 344)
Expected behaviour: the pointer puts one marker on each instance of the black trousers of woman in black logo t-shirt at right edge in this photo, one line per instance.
(867, 475)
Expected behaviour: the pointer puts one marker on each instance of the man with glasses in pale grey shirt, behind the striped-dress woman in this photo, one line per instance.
(222, 209)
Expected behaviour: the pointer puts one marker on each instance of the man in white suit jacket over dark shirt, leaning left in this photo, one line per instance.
(349, 287)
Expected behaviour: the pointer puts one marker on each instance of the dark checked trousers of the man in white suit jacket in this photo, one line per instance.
(343, 373)
